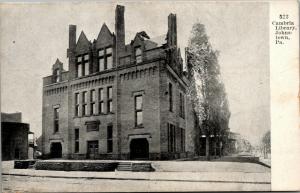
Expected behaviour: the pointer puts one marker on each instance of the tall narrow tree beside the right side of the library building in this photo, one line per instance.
(207, 90)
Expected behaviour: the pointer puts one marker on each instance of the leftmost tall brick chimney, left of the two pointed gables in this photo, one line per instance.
(71, 51)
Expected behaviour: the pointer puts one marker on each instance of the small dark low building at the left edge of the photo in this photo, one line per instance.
(14, 136)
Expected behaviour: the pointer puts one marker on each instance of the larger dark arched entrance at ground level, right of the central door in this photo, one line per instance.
(139, 149)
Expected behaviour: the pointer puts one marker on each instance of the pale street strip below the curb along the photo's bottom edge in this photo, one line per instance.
(46, 184)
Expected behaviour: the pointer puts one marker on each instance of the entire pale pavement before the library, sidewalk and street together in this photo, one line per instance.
(190, 174)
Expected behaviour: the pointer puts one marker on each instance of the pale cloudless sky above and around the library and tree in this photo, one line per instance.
(34, 35)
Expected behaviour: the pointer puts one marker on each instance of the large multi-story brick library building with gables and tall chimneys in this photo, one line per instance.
(119, 101)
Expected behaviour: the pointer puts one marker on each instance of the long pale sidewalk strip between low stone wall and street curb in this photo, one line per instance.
(225, 177)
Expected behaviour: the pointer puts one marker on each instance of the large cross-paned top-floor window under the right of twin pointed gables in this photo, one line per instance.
(105, 59)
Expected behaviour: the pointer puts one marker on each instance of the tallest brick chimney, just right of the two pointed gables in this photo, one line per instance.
(120, 29)
